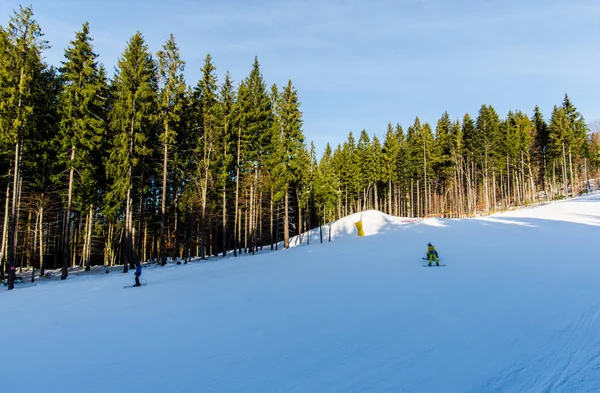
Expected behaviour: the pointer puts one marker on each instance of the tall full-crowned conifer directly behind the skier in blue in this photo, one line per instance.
(133, 119)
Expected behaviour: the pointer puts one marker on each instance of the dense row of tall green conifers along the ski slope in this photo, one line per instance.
(99, 170)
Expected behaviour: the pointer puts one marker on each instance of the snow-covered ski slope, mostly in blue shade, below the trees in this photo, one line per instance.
(515, 309)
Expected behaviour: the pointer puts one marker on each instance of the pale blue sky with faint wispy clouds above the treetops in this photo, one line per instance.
(361, 64)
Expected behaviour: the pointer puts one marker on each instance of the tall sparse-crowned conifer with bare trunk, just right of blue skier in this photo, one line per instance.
(170, 105)
